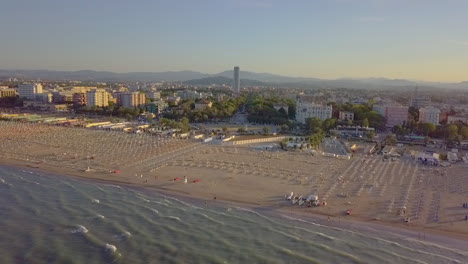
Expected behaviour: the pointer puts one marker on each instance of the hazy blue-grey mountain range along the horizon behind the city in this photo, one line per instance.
(247, 78)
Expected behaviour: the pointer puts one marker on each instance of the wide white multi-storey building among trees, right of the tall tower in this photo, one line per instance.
(307, 109)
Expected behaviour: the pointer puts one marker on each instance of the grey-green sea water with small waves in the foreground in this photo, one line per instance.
(52, 219)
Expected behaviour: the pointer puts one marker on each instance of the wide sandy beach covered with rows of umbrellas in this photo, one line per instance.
(379, 193)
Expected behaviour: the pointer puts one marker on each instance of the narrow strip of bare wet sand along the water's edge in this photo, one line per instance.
(443, 238)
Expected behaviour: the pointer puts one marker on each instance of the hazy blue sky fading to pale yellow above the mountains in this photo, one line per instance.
(413, 39)
